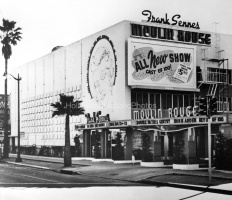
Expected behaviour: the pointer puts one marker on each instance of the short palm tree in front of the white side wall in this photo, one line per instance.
(67, 107)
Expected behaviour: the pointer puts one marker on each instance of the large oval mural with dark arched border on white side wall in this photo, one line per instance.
(102, 70)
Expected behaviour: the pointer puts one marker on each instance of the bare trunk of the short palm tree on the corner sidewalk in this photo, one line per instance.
(67, 148)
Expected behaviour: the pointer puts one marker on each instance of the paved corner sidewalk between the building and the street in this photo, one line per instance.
(162, 176)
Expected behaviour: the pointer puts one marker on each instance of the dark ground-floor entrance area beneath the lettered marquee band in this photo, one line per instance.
(148, 144)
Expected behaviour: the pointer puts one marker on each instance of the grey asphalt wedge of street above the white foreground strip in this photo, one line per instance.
(20, 176)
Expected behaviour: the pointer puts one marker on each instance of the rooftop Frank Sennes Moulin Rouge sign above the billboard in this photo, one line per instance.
(163, 33)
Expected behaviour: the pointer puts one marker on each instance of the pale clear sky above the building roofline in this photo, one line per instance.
(49, 23)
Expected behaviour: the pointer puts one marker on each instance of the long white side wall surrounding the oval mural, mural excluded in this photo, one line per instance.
(65, 71)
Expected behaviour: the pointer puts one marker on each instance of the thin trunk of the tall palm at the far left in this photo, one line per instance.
(6, 142)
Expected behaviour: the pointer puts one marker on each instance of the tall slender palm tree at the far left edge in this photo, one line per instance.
(9, 36)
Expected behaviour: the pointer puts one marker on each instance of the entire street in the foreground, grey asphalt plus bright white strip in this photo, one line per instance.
(19, 182)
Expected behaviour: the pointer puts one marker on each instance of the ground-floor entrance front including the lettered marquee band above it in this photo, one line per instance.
(168, 143)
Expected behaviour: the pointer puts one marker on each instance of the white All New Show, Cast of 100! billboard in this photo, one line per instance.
(161, 65)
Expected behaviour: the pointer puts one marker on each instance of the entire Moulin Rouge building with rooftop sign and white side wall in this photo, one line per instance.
(133, 78)
